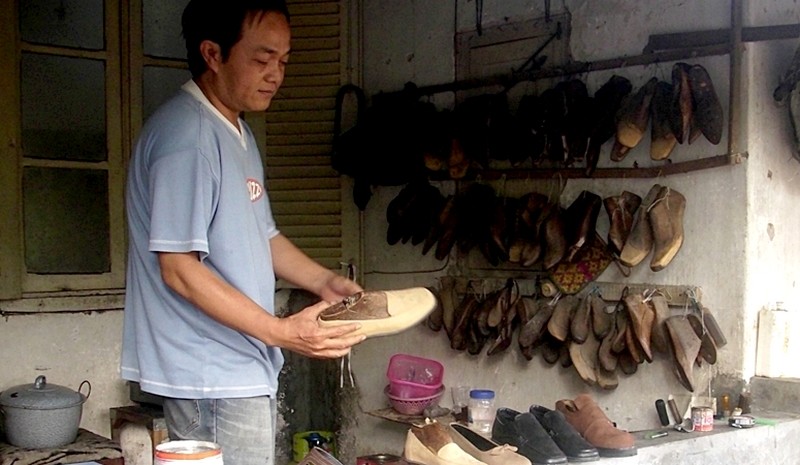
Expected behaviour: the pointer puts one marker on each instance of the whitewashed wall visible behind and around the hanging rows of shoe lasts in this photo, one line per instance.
(736, 268)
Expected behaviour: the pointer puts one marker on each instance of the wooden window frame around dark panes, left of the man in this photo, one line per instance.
(19, 289)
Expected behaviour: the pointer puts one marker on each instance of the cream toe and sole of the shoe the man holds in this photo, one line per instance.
(405, 307)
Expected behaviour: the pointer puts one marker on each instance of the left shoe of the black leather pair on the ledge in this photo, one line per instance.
(525, 432)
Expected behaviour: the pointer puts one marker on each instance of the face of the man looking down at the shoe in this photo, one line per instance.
(254, 71)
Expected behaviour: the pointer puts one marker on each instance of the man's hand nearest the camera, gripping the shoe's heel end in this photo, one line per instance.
(302, 333)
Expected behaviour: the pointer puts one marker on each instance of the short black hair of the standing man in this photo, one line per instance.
(221, 22)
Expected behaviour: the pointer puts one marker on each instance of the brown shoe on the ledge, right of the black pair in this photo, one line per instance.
(591, 422)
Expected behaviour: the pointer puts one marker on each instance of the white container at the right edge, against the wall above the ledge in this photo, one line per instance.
(778, 345)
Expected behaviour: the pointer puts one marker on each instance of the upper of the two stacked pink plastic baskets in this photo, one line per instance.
(412, 377)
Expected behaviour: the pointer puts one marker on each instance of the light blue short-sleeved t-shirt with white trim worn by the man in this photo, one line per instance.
(196, 184)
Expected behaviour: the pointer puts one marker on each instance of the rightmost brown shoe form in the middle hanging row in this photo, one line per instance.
(666, 221)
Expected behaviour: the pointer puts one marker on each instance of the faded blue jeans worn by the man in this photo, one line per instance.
(244, 428)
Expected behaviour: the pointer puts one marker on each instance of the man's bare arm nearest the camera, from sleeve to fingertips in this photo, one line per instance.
(185, 274)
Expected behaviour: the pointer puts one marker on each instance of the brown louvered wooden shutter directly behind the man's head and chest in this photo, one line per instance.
(305, 192)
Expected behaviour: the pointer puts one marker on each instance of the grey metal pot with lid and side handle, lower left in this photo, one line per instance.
(41, 415)
